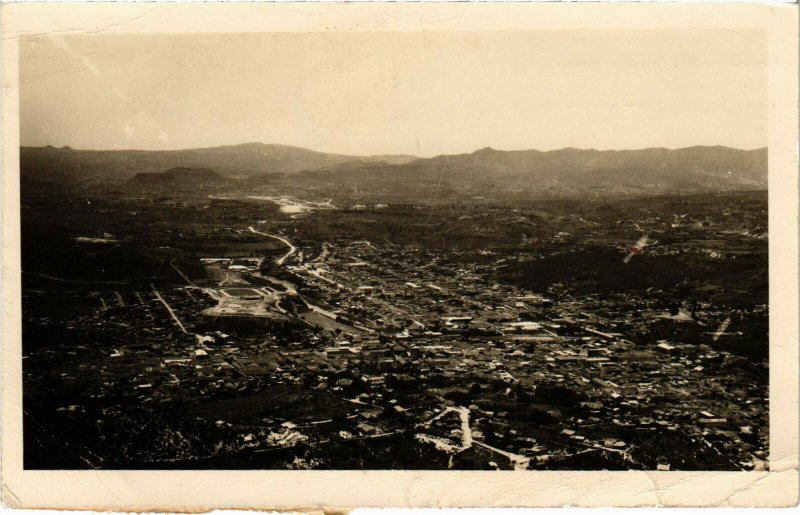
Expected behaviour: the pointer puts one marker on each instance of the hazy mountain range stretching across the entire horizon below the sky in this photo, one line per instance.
(255, 165)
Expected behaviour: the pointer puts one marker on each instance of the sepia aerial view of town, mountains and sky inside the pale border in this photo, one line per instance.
(396, 250)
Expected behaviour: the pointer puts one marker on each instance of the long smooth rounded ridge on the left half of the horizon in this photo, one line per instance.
(66, 165)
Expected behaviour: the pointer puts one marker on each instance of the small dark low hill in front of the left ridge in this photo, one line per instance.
(177, 180)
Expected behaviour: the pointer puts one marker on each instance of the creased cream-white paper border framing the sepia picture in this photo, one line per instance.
(185, 490)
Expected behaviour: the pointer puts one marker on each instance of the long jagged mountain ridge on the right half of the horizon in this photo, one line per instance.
(569, 170)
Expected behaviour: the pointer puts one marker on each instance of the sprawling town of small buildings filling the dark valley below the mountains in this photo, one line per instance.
(274, 348)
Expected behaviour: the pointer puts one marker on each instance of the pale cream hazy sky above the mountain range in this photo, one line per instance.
(418, 93)
